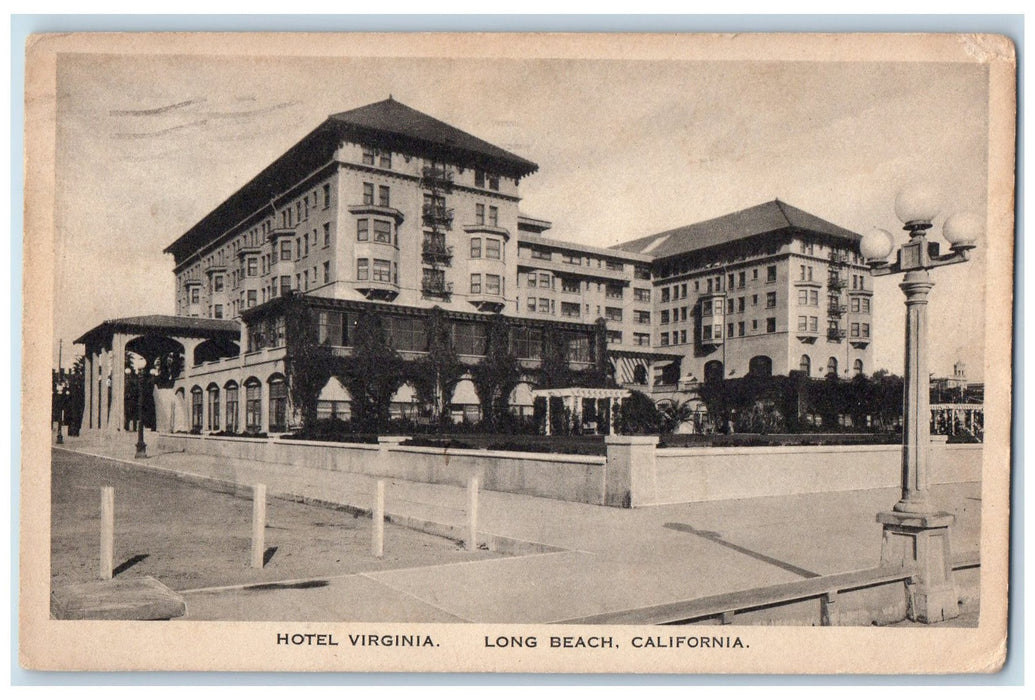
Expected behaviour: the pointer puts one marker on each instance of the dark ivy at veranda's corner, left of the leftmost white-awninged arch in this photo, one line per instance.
(308, 364)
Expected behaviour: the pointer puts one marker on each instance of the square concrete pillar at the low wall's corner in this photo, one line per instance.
(631, 475)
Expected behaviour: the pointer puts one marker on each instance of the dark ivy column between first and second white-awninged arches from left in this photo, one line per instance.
(373, 374)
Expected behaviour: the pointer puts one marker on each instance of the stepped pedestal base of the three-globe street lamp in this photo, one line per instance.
(923, 541)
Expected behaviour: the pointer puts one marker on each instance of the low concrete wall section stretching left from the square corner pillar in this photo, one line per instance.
(570, 478)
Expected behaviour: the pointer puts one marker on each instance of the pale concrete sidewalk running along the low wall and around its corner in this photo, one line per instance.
(599, 560)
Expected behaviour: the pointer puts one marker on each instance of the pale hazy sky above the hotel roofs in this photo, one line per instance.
(149, 145)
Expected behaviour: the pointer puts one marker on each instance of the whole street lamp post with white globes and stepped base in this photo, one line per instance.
(915, 533)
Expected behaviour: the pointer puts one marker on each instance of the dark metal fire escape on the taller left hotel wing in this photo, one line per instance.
(436, 182)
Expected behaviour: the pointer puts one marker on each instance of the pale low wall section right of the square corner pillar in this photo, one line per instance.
(719, 474)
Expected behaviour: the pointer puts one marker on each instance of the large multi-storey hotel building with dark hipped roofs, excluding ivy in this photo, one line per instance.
(390, 210)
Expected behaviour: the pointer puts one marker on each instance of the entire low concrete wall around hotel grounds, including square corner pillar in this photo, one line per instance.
(635, 473)
